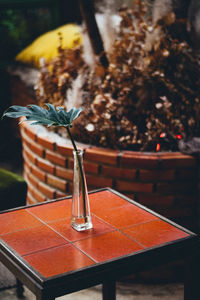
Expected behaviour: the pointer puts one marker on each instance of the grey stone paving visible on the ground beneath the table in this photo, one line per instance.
(124, 292)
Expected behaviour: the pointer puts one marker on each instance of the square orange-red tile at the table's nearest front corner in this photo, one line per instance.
(58, 260)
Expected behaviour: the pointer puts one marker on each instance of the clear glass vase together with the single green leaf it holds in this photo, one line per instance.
(81, 219)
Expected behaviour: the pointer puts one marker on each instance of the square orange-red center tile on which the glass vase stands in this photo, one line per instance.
(64, 228)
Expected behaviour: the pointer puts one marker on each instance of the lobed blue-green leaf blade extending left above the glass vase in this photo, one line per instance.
(40, 116)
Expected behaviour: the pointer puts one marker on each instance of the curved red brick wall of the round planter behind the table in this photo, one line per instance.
(165, 182)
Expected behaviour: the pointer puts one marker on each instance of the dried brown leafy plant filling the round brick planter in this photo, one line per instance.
(146, 98)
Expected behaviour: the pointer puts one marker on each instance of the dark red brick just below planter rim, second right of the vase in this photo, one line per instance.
(118, 172)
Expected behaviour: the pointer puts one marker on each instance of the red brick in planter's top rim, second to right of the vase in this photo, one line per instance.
(139, 160)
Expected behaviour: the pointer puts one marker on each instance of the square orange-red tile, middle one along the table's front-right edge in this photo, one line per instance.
(107, 246)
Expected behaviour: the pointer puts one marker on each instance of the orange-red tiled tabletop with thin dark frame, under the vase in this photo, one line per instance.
(41, 239)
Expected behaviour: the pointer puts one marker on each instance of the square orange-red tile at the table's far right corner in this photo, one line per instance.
(154, 233)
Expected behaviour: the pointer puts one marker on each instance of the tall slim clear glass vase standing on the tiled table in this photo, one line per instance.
(81, 217)
